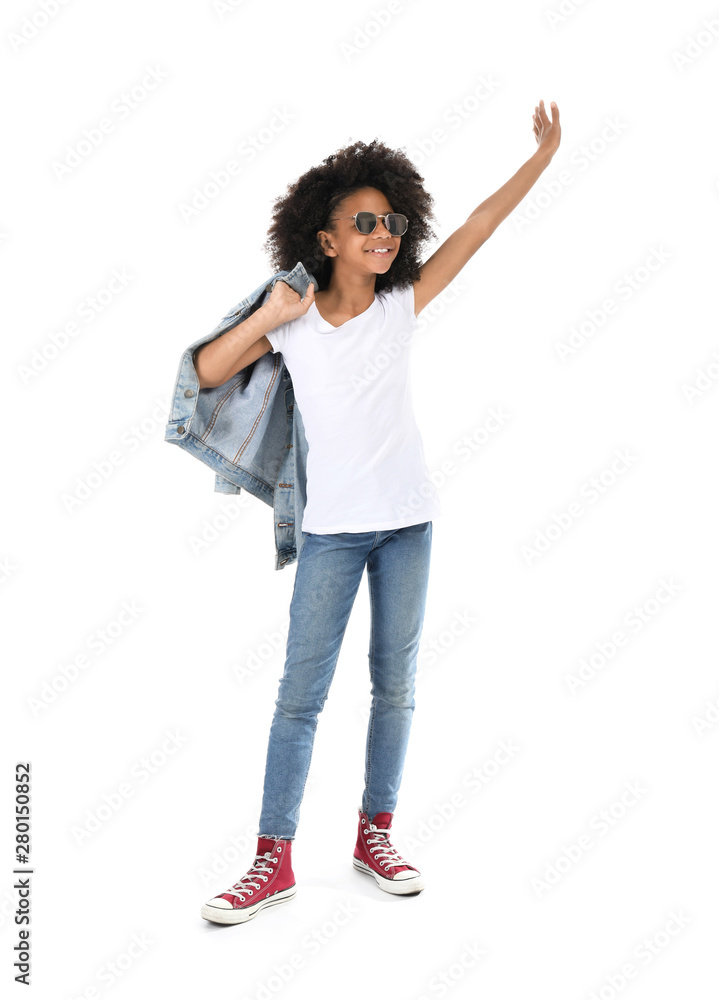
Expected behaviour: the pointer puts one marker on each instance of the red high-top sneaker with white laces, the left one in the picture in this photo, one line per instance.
(270, 880)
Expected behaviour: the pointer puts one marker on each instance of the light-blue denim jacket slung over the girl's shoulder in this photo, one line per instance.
(249, 430)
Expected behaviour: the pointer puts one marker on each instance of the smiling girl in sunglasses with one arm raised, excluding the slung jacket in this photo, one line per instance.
(358, 222)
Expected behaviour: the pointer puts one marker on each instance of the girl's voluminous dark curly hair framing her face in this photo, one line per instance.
(312, 199)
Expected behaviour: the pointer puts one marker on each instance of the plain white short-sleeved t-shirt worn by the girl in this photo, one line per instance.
(366, 467)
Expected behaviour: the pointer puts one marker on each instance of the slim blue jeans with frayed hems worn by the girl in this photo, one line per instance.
(328, 575)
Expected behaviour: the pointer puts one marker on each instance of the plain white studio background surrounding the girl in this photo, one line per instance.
(633, 183)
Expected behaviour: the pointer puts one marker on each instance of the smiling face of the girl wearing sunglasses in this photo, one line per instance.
(353, 251)
